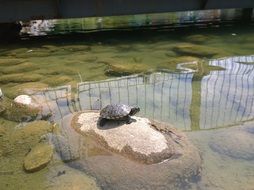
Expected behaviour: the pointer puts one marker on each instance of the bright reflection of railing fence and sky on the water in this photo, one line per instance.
(217, 99)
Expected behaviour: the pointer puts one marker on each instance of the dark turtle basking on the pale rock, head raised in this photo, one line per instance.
(118, 112)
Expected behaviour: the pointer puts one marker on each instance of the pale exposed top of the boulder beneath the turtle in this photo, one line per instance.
(139, 140)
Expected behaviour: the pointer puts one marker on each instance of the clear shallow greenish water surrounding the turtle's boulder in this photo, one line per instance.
(171, 83)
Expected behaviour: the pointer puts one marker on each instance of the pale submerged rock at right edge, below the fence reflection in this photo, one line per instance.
(237, 143)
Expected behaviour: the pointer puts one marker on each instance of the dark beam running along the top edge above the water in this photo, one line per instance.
(16, 10)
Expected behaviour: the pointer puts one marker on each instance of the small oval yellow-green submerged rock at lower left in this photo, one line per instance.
(38, 157)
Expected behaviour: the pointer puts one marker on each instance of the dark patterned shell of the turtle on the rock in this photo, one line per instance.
(115, 111)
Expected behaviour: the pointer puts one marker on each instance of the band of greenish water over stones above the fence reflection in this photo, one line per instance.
(114, 54)
